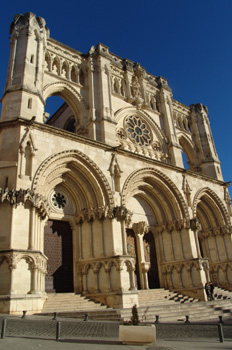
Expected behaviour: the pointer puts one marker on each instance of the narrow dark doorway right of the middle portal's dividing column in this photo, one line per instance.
(150, 256)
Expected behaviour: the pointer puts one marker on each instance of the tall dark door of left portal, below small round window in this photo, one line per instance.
(59, 251)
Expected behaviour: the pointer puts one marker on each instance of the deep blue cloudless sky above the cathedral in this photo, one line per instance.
(189, 42)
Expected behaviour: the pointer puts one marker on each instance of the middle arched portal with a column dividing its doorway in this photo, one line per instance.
(160, 224)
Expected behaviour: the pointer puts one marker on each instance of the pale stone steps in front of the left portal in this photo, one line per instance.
(76, 306)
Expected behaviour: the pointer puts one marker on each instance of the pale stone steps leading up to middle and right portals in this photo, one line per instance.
(173, 307)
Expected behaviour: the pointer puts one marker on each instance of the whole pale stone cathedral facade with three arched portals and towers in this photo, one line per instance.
(96, 199)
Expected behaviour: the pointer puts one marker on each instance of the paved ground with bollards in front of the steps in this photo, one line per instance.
(36, 332)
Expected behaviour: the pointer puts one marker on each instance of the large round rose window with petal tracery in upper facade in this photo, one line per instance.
(138, 131)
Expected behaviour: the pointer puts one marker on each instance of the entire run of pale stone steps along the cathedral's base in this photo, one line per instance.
(169, 306)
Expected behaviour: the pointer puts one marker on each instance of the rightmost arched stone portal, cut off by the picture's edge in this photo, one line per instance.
(214, 234)
